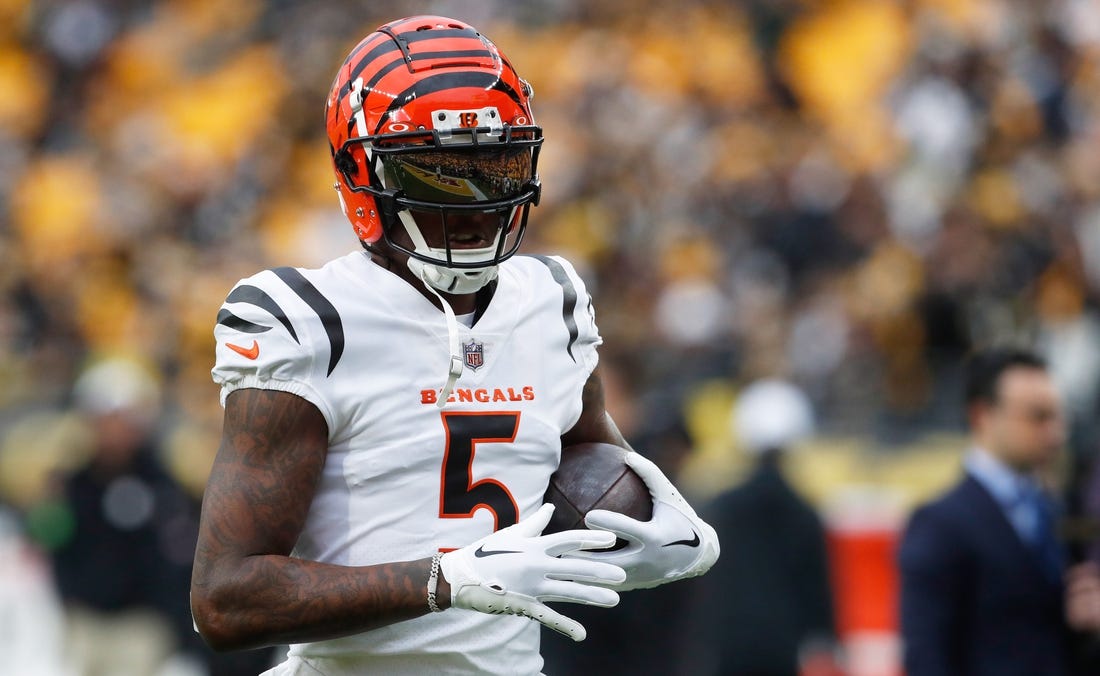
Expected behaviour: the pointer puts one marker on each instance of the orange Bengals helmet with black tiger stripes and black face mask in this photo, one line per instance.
(426, 117)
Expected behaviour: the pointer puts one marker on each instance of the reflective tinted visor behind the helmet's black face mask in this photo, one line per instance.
(459, 178)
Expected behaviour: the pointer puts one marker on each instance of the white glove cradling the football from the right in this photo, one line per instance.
(674, 545)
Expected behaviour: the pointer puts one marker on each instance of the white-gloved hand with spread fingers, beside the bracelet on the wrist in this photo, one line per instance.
(515, 571)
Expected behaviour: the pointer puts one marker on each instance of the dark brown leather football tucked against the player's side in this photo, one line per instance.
(595, 476)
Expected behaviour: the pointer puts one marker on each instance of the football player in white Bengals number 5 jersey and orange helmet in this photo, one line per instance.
(393, 418)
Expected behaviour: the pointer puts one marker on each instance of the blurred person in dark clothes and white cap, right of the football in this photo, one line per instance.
(767, 612)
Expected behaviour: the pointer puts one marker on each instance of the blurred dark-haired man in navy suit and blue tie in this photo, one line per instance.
(982, 570)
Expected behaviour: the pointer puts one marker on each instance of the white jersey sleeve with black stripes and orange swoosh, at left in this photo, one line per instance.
(261, 345)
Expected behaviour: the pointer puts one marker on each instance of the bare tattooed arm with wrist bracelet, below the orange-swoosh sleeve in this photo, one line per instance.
(247, 591)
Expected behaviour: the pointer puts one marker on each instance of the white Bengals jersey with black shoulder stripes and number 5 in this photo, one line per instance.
(404, 478)
